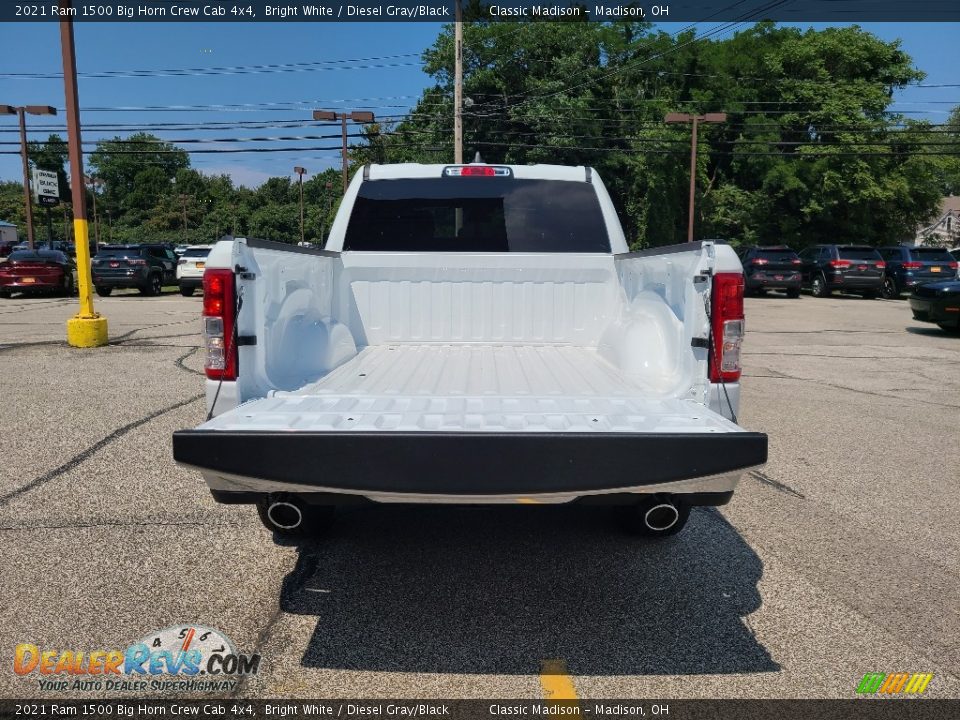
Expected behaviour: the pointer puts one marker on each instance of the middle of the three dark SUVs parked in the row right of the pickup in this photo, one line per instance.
(849, 268)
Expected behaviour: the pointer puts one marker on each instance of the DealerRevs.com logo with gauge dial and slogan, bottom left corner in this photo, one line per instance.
(182, 658)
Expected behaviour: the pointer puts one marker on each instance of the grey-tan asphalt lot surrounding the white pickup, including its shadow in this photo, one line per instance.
(841, 557)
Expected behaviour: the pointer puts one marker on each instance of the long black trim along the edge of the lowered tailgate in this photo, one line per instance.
(469, 463)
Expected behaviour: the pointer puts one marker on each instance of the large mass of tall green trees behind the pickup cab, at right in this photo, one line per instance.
(810, 150)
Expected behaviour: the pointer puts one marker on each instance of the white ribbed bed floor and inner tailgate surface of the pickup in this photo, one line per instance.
(479, 388)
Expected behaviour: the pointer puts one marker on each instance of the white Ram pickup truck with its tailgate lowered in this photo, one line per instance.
(472, 334)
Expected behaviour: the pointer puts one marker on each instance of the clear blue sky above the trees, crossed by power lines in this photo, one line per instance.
(388, 86)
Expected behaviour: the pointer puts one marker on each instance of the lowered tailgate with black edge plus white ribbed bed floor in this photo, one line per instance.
(463, 420)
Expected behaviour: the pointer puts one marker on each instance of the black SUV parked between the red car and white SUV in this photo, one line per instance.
(145, 267)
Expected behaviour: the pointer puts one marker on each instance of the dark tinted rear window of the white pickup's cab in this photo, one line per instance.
(487, 214)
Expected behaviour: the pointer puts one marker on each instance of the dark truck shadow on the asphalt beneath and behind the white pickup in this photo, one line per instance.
(498, 590)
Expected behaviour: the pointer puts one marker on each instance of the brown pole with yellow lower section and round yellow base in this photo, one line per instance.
(86, 328)
